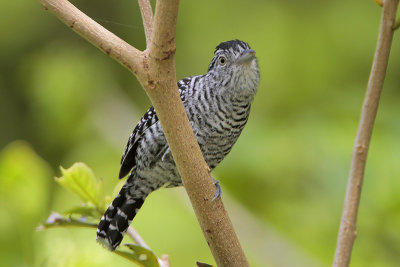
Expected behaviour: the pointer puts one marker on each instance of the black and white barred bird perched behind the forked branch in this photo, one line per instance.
(217, 104)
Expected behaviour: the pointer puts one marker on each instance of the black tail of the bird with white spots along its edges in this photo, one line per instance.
(117, 218)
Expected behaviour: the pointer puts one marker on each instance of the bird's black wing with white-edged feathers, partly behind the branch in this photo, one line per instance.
(128, 161)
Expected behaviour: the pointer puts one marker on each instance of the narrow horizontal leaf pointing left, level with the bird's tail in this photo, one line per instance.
(56, 220)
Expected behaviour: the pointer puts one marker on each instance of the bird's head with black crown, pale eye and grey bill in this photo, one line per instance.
(234, 66)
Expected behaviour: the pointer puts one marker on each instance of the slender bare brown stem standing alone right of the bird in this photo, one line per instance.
(347, 232)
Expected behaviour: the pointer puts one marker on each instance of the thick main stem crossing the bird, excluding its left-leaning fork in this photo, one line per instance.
(212, 216)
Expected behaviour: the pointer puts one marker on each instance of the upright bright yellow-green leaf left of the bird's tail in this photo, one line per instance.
(81, 180)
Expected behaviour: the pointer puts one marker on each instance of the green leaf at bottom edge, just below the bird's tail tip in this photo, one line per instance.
(140, 255)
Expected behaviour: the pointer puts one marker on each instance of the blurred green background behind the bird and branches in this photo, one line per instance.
(63, 101)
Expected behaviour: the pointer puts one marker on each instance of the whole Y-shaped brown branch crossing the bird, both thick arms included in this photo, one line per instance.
(155, 70)
